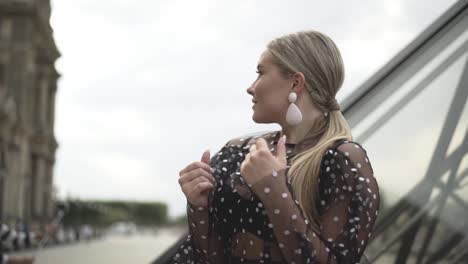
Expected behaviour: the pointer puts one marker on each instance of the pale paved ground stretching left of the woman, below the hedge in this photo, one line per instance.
(112, 249)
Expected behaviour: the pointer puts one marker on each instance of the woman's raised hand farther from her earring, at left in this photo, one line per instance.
(196, 181)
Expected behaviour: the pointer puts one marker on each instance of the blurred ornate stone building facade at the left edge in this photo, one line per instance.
(28, 87)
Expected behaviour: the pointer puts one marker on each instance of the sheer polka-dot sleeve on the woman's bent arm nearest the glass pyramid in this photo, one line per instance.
(348, 207)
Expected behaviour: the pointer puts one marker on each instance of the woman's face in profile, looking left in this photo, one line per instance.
(270, 92)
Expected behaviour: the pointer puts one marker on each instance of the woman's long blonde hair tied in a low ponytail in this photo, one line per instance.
(317, 57)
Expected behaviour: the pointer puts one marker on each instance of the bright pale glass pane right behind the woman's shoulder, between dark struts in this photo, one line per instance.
(401, 150)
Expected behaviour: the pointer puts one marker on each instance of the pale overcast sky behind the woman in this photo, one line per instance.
(148, 85)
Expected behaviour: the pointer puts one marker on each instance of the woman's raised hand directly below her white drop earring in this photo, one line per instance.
(260, 162)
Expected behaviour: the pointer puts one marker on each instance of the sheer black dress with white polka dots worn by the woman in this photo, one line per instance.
(264, 223)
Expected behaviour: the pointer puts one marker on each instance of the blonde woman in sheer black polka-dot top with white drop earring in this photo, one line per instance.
(303, 194)
